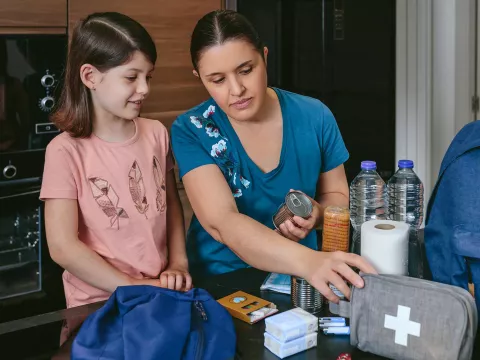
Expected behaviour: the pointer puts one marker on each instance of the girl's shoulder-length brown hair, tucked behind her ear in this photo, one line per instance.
(104, 40)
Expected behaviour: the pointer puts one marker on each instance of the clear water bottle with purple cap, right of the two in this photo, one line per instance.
(405, 203)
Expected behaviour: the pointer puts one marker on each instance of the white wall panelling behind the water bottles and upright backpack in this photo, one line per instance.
(435, 80)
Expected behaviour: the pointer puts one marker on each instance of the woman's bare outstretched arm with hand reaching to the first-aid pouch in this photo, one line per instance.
(261, 247)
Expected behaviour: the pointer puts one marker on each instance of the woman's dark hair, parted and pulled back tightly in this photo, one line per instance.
(218, 27)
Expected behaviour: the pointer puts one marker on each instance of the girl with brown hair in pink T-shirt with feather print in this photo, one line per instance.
(111, 205)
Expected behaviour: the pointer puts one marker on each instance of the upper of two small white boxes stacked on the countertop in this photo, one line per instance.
(291, 324)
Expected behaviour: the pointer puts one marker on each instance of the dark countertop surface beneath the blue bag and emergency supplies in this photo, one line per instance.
(38, 337)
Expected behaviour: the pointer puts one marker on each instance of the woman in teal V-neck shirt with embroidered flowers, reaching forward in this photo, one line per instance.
(243, 150)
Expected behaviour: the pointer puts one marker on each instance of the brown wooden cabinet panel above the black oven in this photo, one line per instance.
(33, 13)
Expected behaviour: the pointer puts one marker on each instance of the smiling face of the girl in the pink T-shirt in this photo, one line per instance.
(120, 91)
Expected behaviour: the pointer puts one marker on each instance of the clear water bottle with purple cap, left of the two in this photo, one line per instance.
(367, 200)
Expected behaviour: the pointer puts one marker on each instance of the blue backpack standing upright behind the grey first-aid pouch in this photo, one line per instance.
(452, 231)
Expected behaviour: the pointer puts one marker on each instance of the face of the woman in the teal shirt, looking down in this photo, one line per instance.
(235, 75)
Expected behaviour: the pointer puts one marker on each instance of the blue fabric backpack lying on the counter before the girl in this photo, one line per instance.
(150, 323)
